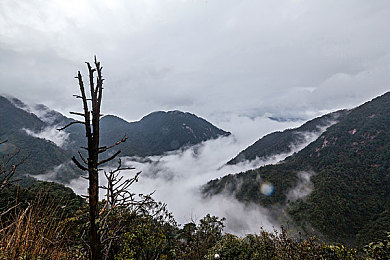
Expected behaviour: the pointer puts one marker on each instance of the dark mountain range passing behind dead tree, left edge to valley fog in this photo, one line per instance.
(32, 129)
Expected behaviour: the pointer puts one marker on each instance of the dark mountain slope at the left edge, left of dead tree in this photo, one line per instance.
(40, 154)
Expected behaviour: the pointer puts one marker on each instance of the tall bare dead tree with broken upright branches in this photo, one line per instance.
(91, 117)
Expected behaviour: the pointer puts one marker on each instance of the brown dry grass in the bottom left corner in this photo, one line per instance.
(35, 232)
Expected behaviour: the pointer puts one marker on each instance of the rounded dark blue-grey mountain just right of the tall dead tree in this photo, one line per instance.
(158, 132)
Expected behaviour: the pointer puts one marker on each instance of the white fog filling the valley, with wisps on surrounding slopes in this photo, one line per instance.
(176, 177)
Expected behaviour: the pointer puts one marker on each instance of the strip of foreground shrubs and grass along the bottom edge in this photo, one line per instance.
(43, 230)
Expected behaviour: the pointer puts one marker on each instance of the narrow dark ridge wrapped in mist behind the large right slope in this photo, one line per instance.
(284, 142)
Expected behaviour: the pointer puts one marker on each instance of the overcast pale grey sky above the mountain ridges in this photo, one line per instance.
(214, 58)
